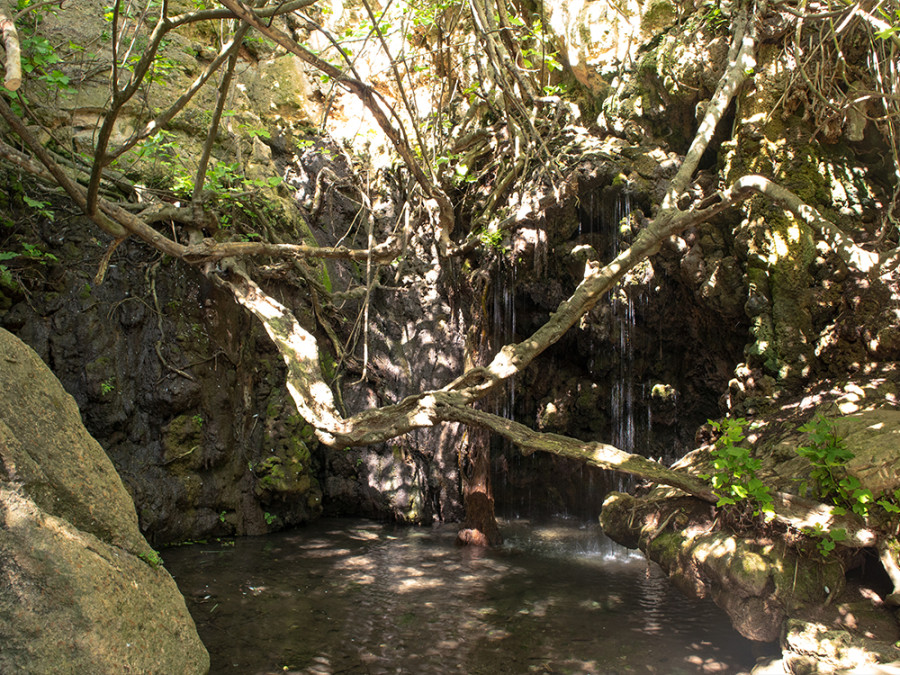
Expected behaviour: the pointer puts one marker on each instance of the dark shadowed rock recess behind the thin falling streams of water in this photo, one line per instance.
(641, 371)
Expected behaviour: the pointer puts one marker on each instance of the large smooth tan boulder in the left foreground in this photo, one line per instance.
(81, 591)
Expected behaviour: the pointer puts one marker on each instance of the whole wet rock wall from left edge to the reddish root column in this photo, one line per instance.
(185, 391)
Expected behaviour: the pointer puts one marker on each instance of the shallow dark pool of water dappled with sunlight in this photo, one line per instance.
(351, 596)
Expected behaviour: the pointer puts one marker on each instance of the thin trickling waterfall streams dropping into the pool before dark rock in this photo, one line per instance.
(610, 396)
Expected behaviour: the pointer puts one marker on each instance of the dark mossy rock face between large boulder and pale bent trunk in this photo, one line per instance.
(180, 387)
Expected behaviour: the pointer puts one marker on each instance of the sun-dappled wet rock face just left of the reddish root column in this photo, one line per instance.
(415, 343)
